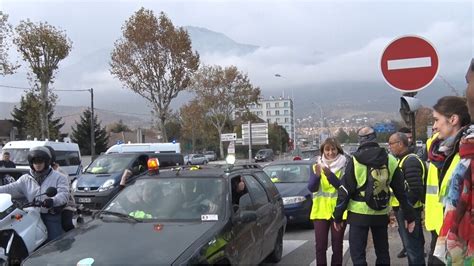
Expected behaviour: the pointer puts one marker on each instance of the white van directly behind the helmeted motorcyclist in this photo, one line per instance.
(68, 155)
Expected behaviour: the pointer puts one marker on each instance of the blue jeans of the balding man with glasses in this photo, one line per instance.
(414, 242)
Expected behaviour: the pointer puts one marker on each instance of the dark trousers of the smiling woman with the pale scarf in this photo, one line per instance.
(321, 231)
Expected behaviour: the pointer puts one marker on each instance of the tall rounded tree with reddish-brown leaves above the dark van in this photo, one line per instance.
(155, 60)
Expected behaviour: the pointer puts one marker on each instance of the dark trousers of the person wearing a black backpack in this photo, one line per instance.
(358, 243)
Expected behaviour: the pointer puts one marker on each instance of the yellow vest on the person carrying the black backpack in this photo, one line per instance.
(360, 172)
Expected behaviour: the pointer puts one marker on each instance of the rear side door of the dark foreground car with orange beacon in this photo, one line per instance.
(264, 213)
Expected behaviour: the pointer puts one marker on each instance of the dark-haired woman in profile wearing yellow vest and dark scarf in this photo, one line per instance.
(450, 115)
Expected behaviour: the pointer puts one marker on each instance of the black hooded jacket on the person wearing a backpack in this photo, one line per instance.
(372, 155)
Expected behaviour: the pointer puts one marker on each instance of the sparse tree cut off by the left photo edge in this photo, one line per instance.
(6, 67)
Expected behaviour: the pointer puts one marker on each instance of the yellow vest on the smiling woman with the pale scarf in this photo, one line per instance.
(324, 200)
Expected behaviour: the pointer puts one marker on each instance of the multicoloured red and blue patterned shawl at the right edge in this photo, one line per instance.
(455, 244)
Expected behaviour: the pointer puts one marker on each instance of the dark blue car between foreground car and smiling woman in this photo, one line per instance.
(291, 179)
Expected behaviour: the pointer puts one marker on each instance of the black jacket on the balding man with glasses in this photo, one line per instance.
(412, 169)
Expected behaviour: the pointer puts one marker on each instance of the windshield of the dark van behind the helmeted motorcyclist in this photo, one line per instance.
(111, 163)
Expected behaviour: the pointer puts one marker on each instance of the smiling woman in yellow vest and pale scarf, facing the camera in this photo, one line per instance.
(323, 183)
